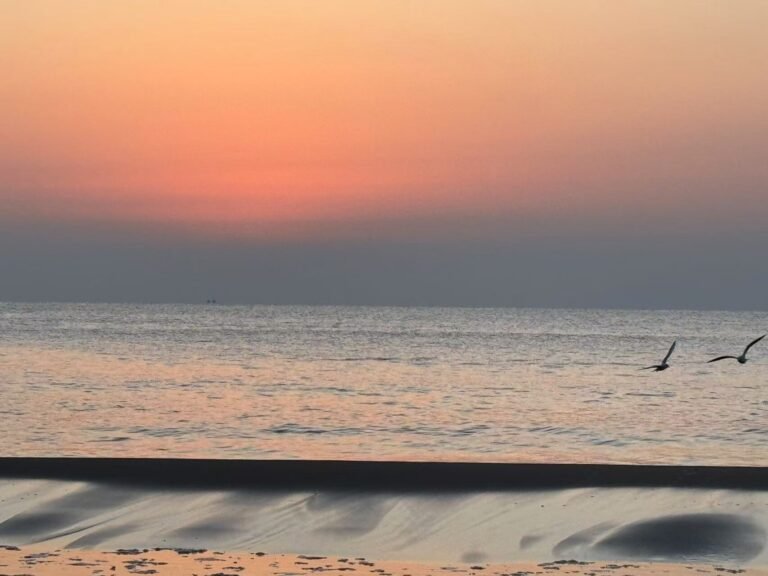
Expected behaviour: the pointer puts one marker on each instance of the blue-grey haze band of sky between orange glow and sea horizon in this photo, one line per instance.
(718, 271)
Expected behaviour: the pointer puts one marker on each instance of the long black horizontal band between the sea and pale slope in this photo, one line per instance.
(376, 475)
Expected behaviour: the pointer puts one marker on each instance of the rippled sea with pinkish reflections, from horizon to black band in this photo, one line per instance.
(381, 383)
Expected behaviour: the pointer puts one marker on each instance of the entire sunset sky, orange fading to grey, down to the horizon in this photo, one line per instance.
(440, 152)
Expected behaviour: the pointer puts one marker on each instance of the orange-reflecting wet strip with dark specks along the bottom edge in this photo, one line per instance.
(45, 562)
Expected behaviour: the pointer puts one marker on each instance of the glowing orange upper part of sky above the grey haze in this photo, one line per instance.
(279, 118)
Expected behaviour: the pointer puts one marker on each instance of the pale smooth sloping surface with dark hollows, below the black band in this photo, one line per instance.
(585, 524)
